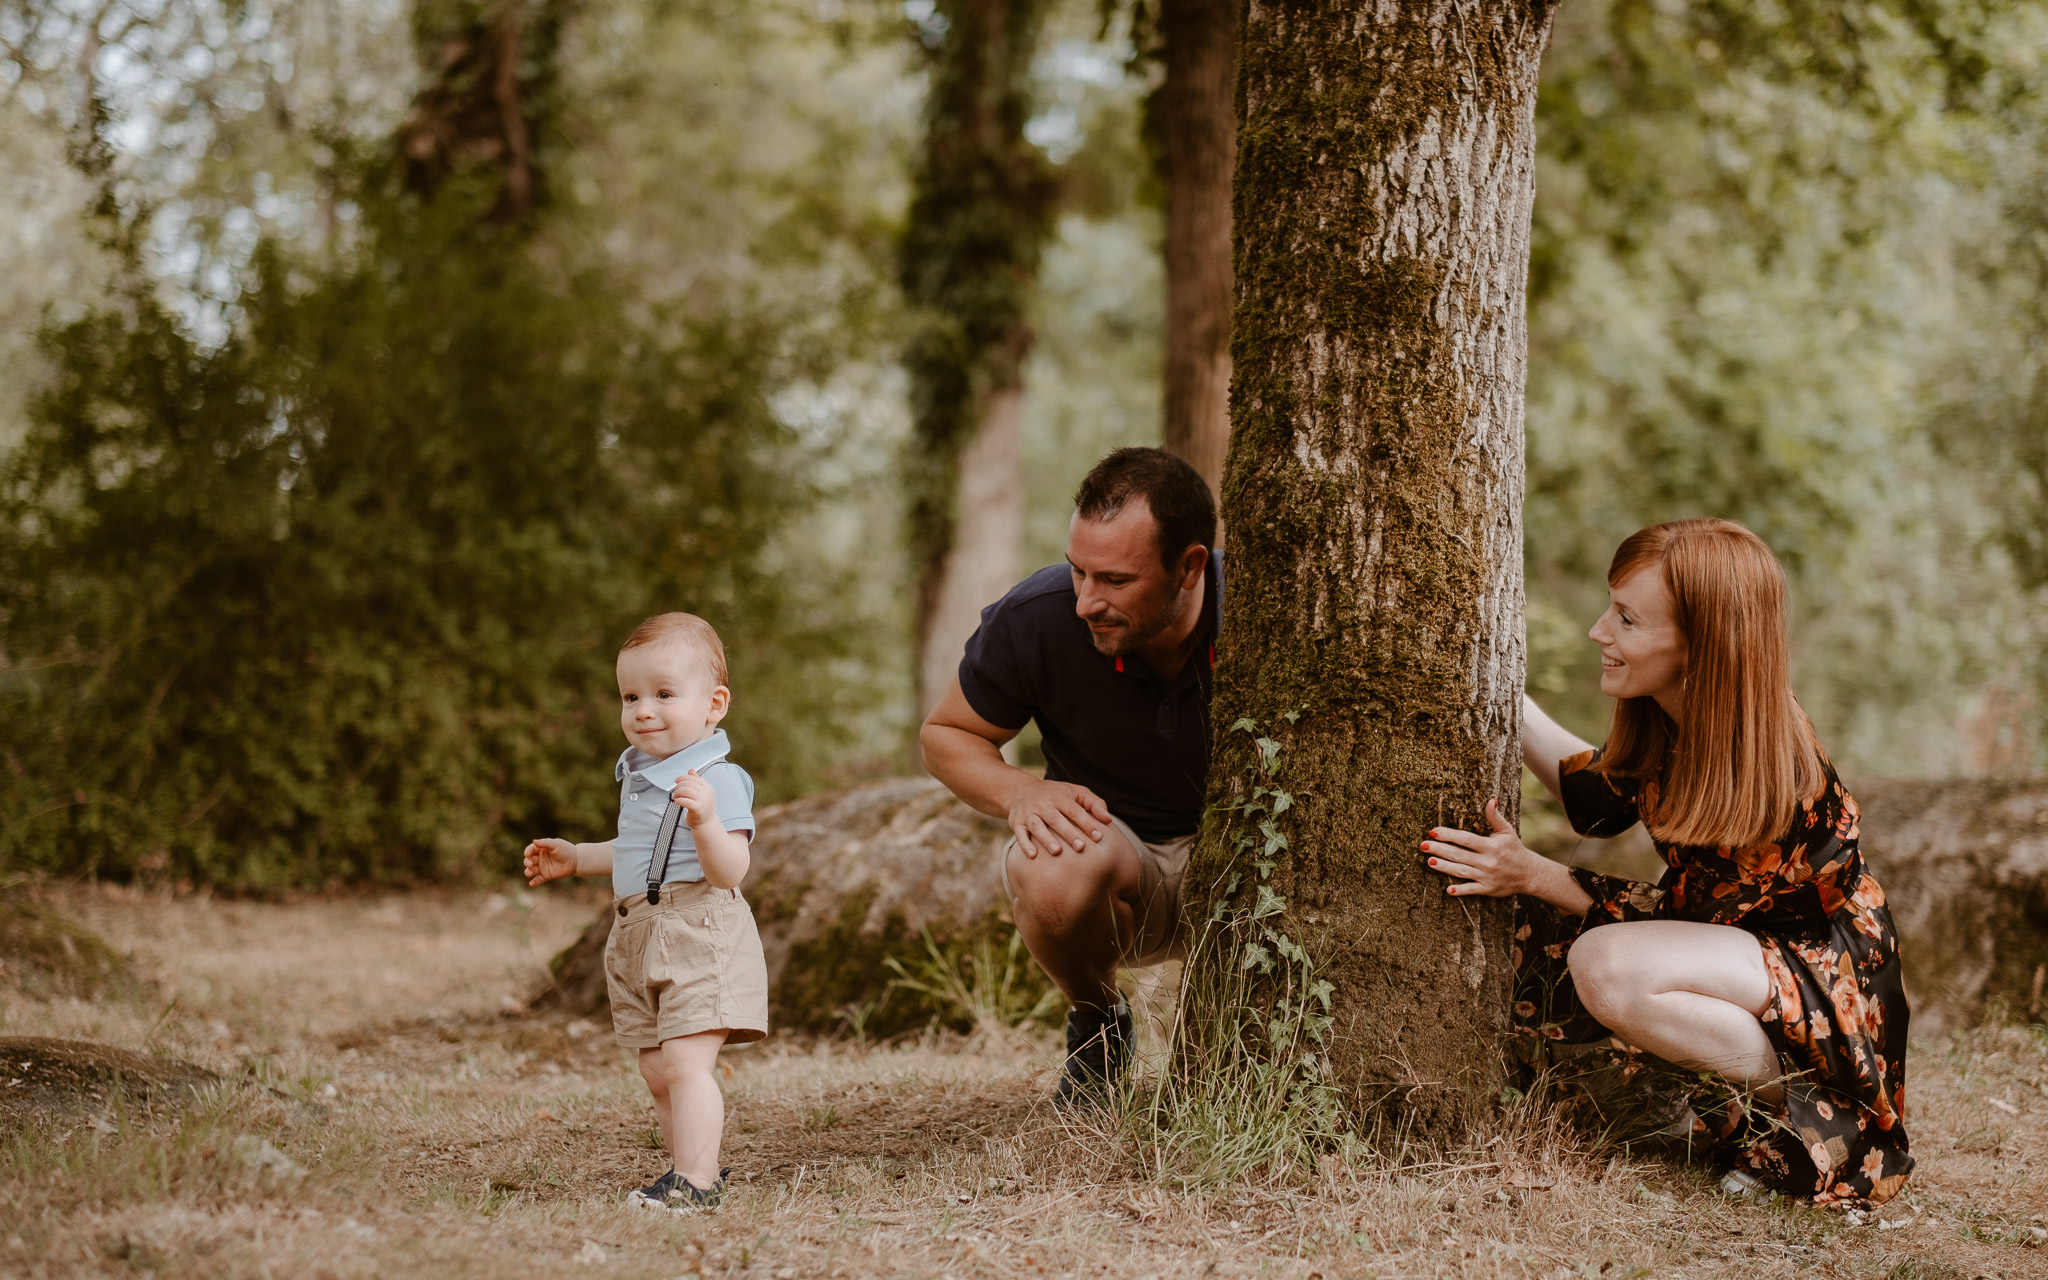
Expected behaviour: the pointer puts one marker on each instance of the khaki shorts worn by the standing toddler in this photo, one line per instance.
(687, 966)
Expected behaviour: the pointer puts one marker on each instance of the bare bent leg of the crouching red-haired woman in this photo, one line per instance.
(1687, 992)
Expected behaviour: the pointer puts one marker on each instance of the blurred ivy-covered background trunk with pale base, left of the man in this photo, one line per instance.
(978, 224)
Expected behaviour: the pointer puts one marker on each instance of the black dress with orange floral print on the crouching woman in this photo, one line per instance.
(1838, 1009)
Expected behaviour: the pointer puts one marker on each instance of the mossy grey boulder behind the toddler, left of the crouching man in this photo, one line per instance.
(843, 884)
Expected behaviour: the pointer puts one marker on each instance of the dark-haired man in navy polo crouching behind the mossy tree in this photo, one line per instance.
(1113, 654)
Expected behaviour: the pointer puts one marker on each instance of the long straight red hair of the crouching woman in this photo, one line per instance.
(1742, 757)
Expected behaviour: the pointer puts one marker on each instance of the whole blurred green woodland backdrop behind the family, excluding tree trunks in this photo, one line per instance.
(331, 474)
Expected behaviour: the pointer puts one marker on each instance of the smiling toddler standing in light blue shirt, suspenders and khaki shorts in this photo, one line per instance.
(685, 964)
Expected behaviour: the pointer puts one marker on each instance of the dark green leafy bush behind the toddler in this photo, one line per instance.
(339, 597)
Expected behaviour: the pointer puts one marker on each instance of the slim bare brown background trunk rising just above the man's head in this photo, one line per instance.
(1199, 120)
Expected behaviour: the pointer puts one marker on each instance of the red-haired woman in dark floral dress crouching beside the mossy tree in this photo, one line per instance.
(1764, 955)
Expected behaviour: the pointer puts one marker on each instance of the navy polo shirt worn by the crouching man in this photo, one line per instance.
(1109, 724)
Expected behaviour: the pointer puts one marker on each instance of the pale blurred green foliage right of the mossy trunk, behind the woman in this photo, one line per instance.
(1787, 269)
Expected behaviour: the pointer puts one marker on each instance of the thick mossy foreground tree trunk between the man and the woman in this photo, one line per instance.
(1385, 177)
